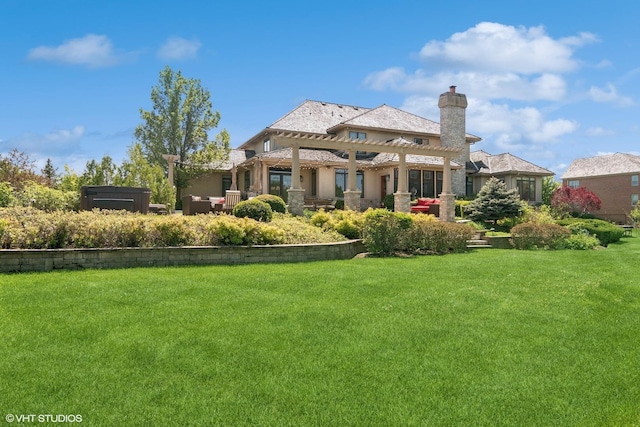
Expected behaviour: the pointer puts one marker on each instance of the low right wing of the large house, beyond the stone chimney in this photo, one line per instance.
(512, 170)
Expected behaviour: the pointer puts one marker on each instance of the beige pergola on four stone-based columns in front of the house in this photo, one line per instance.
(400, 146)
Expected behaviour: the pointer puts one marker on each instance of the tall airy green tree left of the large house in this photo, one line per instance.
(178, 124)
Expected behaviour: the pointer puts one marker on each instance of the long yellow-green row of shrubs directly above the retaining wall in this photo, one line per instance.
(29, 228)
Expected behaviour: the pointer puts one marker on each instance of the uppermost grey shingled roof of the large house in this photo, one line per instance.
(322, 118)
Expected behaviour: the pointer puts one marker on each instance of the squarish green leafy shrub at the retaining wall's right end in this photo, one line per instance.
(385, 232)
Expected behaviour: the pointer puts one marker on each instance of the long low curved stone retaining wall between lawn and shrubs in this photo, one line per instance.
(23, 260)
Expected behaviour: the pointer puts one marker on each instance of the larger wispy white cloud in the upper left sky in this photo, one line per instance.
(92, 50)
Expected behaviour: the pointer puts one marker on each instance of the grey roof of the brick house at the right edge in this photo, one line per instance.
(610, 164)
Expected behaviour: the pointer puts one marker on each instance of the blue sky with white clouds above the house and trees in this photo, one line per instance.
(547, 81)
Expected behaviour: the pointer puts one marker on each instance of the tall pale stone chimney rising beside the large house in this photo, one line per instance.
(452, 134)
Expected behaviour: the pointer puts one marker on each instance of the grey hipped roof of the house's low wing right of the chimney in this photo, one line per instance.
(502, 164)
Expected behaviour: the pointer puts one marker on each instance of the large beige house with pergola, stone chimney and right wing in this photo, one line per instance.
(360, 155)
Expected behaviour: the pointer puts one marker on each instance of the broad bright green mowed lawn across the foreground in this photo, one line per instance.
(487, 338)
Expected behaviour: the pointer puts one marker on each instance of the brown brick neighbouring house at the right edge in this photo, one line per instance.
(613, 178)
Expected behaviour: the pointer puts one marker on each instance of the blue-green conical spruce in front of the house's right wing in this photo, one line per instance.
(494, 202)
